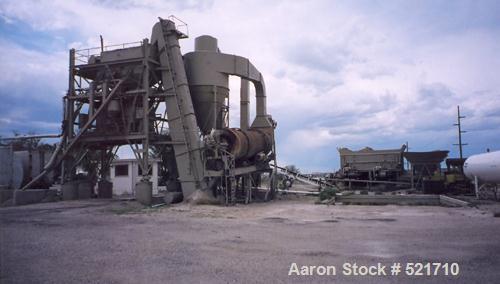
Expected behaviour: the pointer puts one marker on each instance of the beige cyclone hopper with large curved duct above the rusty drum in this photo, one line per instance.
(208, 71)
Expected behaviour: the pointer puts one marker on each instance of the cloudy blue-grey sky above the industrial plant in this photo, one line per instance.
(338, 73)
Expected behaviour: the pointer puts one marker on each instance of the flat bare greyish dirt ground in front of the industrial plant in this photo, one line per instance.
(99, 241)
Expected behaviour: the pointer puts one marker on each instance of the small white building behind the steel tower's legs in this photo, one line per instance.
(125, 173)
